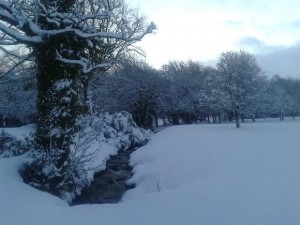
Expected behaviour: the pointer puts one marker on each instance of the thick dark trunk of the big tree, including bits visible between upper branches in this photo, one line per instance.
(58, 83)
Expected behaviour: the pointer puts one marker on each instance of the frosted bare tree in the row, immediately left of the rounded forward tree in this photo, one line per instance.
(186, 98)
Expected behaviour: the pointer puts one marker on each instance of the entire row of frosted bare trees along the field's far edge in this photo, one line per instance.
(188, 92)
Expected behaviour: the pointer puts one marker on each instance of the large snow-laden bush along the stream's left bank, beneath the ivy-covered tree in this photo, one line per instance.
(98, 138)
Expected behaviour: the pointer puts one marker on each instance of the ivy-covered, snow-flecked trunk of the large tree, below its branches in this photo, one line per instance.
(58, 103)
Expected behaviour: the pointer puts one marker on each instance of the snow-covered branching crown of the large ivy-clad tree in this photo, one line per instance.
(108, 27)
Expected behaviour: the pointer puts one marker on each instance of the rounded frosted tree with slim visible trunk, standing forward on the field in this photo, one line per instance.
(239, 77)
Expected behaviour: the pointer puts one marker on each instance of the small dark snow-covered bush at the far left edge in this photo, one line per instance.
(10, 146)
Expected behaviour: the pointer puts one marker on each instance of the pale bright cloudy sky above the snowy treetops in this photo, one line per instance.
(201, 30)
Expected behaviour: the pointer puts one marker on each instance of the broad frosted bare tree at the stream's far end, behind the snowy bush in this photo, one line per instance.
(133, 86)
